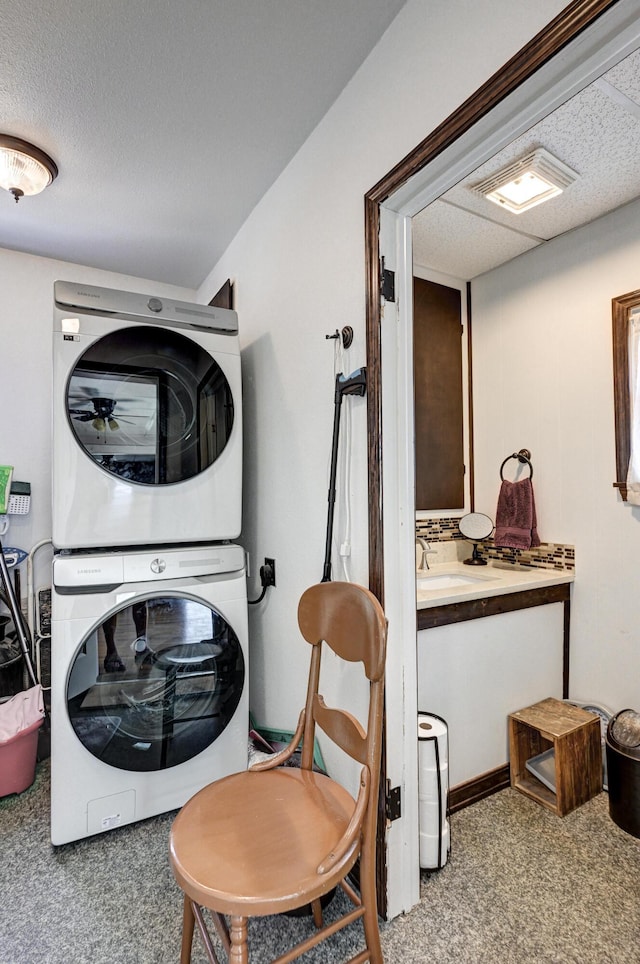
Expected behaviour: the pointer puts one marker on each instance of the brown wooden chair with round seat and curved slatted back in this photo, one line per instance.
(273, 839)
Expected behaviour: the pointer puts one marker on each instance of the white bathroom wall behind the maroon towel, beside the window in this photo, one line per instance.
(543, 380)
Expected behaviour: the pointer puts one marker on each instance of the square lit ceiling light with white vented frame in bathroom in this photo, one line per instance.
(529, 181)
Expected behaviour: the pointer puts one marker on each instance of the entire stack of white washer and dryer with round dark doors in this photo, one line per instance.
(149, 679)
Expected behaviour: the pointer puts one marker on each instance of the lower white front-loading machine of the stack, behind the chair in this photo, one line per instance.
(136, 731)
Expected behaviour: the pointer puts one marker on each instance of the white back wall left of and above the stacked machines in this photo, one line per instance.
(26, 326)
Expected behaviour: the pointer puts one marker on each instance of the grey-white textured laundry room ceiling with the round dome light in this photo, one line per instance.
(168, 120)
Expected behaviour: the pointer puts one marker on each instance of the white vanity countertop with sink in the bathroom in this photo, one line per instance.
(494, 579)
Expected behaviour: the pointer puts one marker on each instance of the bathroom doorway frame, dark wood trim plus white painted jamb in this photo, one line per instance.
(562, 58)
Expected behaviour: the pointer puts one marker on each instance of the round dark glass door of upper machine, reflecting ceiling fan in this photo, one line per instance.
(149, 405)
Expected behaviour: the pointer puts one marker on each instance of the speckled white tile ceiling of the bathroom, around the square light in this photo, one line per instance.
(596, 133)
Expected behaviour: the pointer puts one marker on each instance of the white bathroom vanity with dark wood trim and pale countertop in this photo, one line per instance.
(512, 650)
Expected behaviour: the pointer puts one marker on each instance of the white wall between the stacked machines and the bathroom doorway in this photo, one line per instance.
(298, 269)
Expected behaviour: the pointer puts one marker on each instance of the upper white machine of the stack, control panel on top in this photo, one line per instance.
(147, 420)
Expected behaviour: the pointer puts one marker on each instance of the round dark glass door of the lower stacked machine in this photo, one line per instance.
(155, 683)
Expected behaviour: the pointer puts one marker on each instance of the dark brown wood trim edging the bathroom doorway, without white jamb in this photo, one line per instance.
(571, 21)
